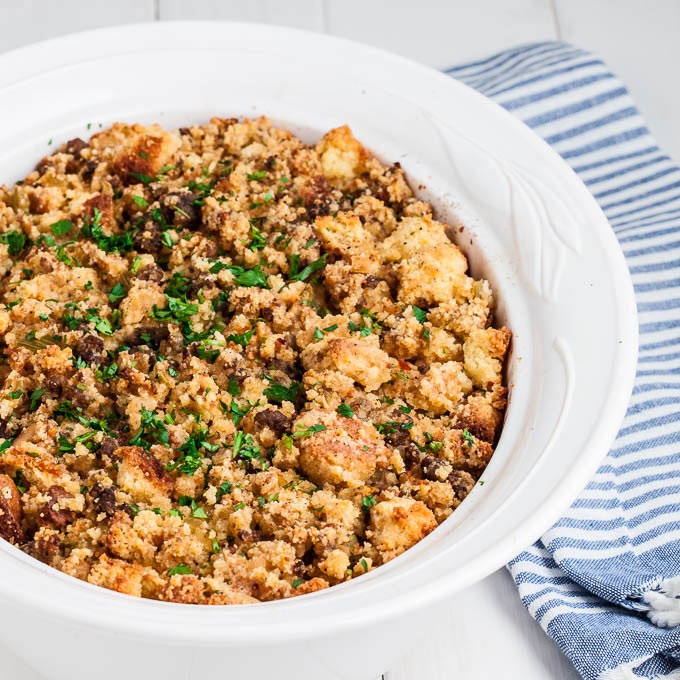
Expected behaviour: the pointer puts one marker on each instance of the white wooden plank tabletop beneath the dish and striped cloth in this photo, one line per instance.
(489, 635)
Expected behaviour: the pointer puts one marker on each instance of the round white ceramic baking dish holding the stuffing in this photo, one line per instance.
(523, 218)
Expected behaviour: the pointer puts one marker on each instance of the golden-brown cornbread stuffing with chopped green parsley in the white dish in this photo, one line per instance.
(235, 367)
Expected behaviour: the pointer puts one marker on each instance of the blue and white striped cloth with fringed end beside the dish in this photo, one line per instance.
(604, 582)
